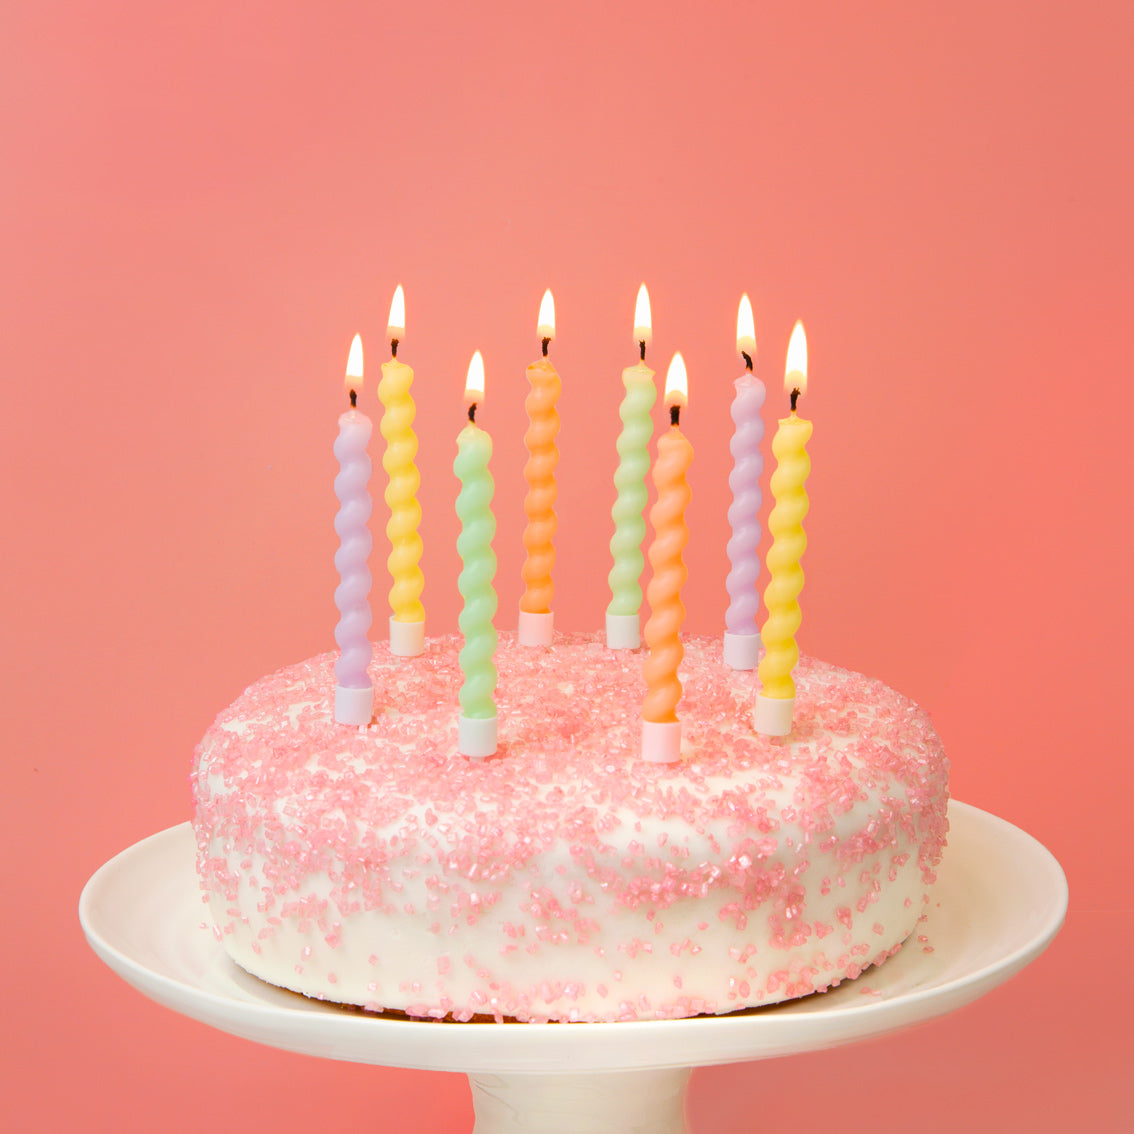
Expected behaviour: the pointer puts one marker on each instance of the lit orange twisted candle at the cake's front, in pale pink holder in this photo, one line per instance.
(662, 731)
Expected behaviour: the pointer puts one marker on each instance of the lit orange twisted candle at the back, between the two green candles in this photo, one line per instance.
(536, 617)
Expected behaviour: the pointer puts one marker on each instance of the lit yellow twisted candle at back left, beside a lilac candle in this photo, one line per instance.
(408, 623)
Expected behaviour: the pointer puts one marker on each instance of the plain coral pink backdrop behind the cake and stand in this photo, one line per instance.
(201, 204)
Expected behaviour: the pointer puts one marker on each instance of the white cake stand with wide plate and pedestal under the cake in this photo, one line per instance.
(1000, 901)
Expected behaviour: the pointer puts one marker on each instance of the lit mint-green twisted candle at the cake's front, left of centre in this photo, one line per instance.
(478, 725)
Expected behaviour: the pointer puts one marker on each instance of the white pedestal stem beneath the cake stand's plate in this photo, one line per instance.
(613, 1103)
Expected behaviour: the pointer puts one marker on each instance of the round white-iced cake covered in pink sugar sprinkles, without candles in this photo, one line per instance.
(564, 878)
